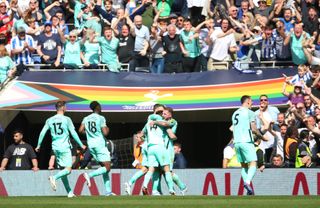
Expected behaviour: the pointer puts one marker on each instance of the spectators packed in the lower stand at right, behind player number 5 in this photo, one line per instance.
(292, 135)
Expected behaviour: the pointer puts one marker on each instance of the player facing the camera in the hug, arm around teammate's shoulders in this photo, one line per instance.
(172, 124)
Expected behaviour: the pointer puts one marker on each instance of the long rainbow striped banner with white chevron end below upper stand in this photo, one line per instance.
(39, 96)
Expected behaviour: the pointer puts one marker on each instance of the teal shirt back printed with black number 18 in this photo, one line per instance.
(93, 125)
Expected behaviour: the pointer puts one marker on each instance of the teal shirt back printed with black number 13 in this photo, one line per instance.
(59, 128)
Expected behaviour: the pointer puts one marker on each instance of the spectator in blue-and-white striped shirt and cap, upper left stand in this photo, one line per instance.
(22, 47)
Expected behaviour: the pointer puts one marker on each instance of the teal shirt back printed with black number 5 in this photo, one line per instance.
(241, 120)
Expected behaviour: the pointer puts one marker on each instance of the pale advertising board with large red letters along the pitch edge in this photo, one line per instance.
(199, 182)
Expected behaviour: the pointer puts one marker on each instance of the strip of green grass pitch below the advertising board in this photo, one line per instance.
(163, 201)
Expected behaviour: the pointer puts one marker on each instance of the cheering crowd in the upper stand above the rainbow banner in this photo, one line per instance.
(156, 35)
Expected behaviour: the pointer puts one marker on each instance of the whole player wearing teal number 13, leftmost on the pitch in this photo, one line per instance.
(60, 128)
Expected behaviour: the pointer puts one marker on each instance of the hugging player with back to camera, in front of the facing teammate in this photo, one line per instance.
(156, 152)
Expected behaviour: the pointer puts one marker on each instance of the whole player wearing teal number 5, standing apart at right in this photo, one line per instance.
(243, 122)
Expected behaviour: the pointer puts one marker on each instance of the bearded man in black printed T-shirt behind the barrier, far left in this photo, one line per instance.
(19, 155)
